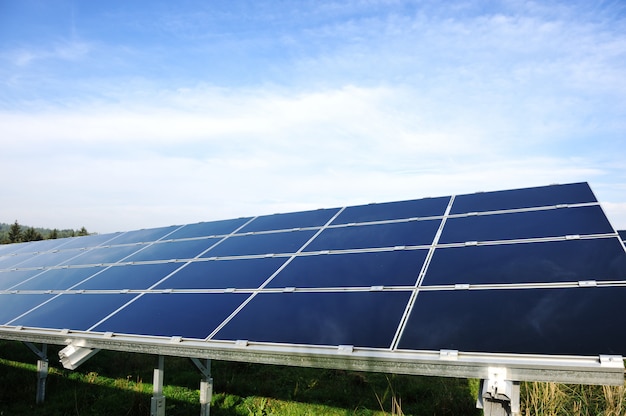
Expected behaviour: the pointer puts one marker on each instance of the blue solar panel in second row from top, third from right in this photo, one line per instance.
(281, 242)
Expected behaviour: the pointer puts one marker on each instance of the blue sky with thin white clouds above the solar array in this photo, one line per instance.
(121, 115)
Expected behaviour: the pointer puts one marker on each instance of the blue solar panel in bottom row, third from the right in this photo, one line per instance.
(188, 315)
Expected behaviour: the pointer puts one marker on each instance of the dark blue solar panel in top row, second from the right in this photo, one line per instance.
(427, 207)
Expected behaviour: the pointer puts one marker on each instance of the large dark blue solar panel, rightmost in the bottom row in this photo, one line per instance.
(574, 321)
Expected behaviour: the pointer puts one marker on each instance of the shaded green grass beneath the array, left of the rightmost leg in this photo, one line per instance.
(117, 383)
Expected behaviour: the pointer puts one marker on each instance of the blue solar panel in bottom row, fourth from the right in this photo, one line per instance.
(73, 311)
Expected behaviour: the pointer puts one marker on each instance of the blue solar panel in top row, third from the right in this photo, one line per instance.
(302, 219)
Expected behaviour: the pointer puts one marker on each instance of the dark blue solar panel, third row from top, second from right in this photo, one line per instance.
(385, 268)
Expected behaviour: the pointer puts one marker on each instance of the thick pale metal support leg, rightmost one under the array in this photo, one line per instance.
(498, 396)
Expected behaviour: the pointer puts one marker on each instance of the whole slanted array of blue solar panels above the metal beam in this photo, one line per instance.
(527, 271)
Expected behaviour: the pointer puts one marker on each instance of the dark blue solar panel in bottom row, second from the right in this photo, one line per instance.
(363, 319)
